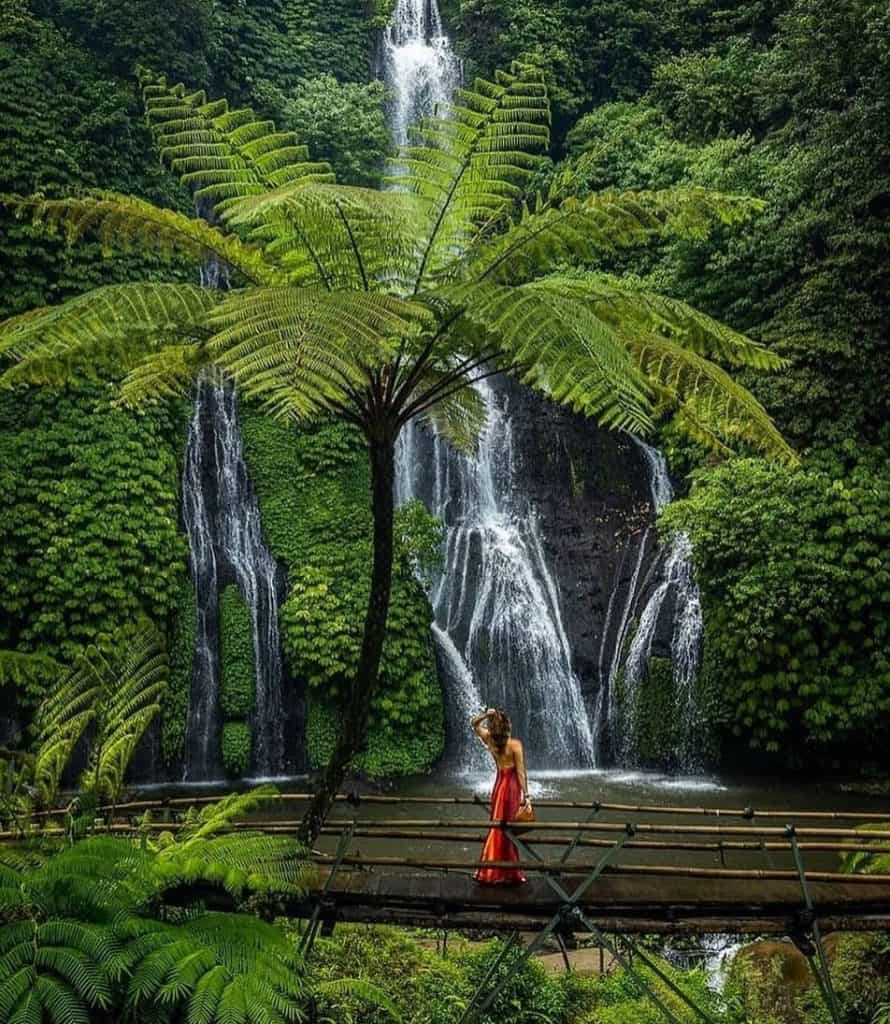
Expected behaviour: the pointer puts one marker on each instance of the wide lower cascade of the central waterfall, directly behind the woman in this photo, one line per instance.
(498, 621)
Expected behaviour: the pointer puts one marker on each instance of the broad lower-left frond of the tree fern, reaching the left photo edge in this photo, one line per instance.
(118, 325)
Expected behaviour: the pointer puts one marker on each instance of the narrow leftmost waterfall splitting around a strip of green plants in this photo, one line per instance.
(226, 545)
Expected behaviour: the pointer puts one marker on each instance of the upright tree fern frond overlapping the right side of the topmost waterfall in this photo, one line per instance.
(471, 166)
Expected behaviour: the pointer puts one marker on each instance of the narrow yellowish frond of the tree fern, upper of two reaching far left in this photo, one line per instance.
(125, 224)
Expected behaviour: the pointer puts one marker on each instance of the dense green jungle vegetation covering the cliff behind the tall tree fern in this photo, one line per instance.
(782, 101)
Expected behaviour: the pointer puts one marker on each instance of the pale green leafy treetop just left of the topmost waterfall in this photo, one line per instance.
(342, 123)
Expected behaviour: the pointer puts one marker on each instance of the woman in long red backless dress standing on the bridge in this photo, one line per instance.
(511, 793)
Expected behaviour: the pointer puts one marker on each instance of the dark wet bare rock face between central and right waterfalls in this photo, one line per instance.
(591, 491)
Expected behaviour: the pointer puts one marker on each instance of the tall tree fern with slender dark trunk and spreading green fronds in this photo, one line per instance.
(382, 308)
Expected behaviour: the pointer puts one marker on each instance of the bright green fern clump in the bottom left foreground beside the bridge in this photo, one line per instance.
(105, 929)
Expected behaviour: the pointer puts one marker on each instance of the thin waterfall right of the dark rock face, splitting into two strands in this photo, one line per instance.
(677, 583)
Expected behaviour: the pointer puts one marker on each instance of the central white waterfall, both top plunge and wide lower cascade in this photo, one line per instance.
(498, 627)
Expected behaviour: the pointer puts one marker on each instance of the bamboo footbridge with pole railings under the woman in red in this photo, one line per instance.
(612, 871)
